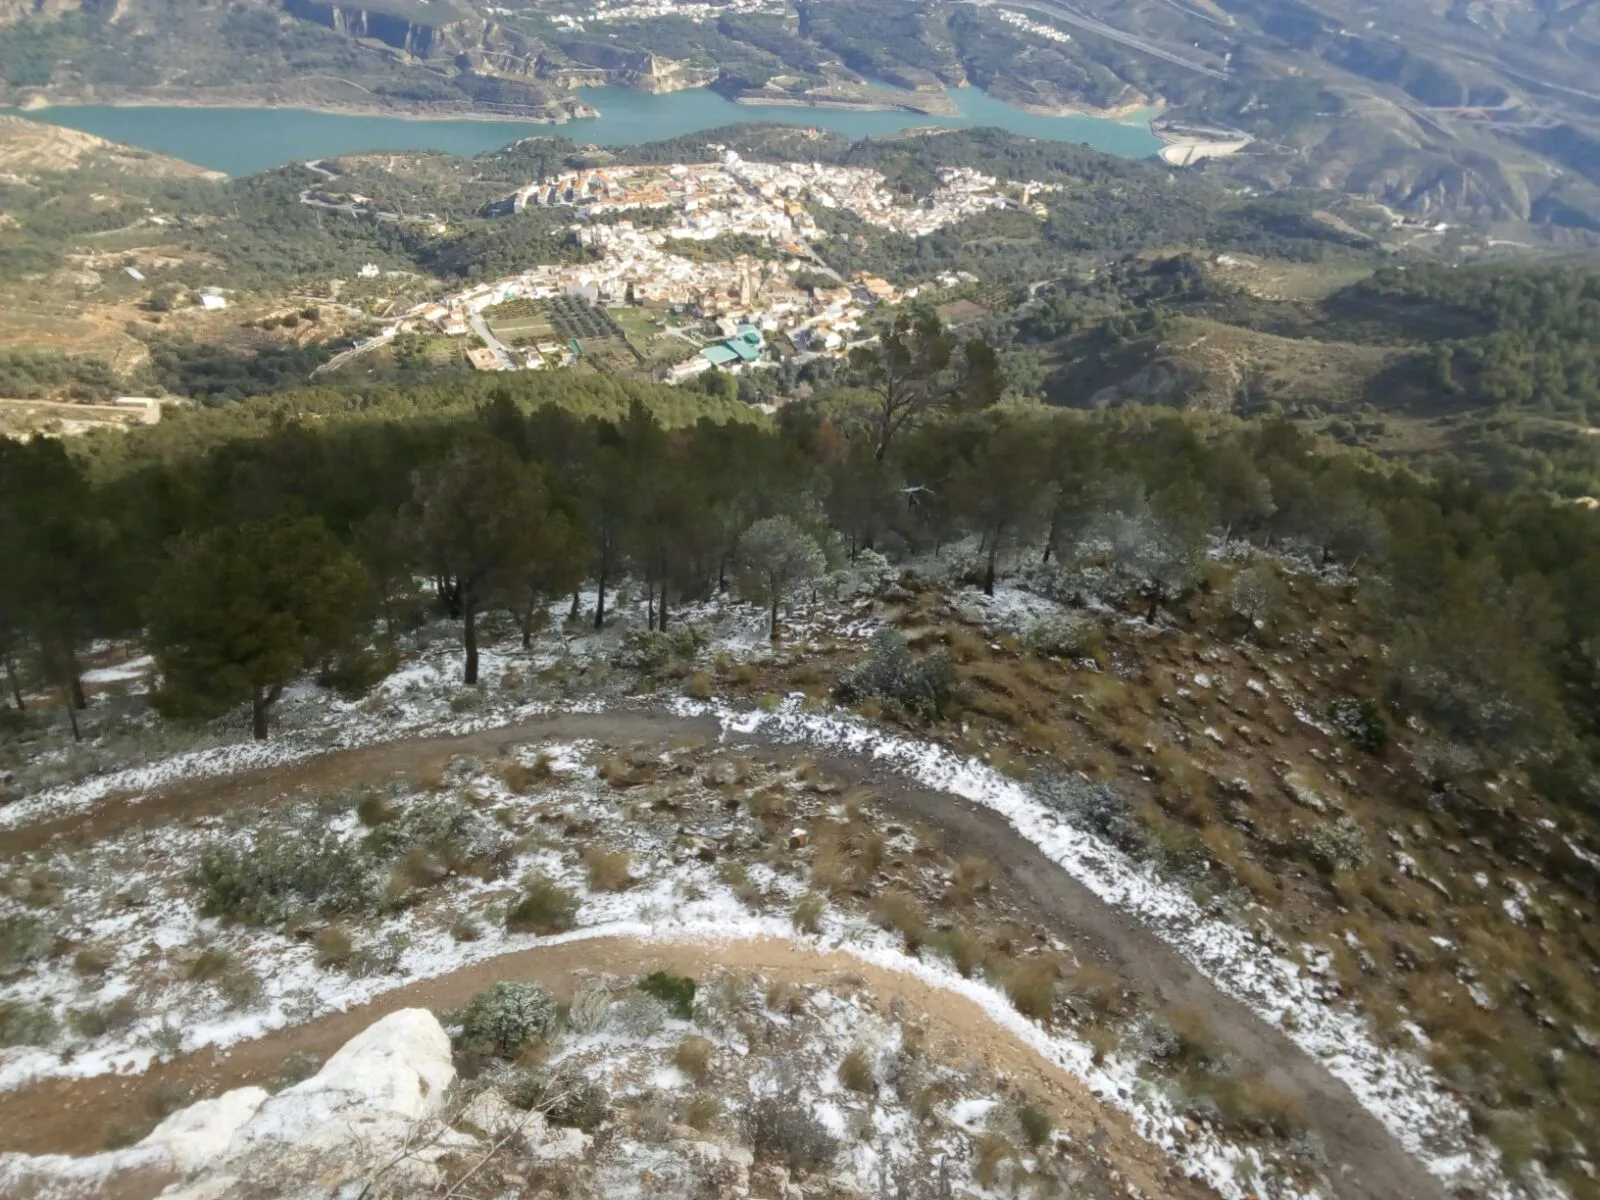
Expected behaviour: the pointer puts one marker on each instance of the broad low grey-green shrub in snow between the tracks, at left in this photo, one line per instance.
(279, 874)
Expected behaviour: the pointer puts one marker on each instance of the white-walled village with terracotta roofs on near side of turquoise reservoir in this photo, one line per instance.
(654, 234)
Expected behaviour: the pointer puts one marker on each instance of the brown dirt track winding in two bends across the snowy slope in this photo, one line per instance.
(1366, 1162)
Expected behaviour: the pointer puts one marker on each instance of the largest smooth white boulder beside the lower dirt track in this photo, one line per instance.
(382, 1082)
